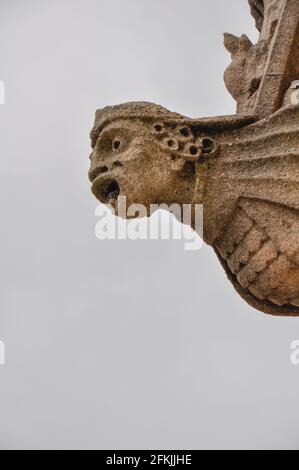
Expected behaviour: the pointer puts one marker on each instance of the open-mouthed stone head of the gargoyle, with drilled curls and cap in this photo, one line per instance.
(146, 153)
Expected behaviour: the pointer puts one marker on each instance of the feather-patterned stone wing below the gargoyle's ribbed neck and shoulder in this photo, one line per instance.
(259, 250)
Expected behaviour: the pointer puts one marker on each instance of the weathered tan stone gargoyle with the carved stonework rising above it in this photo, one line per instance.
(244, 169)
